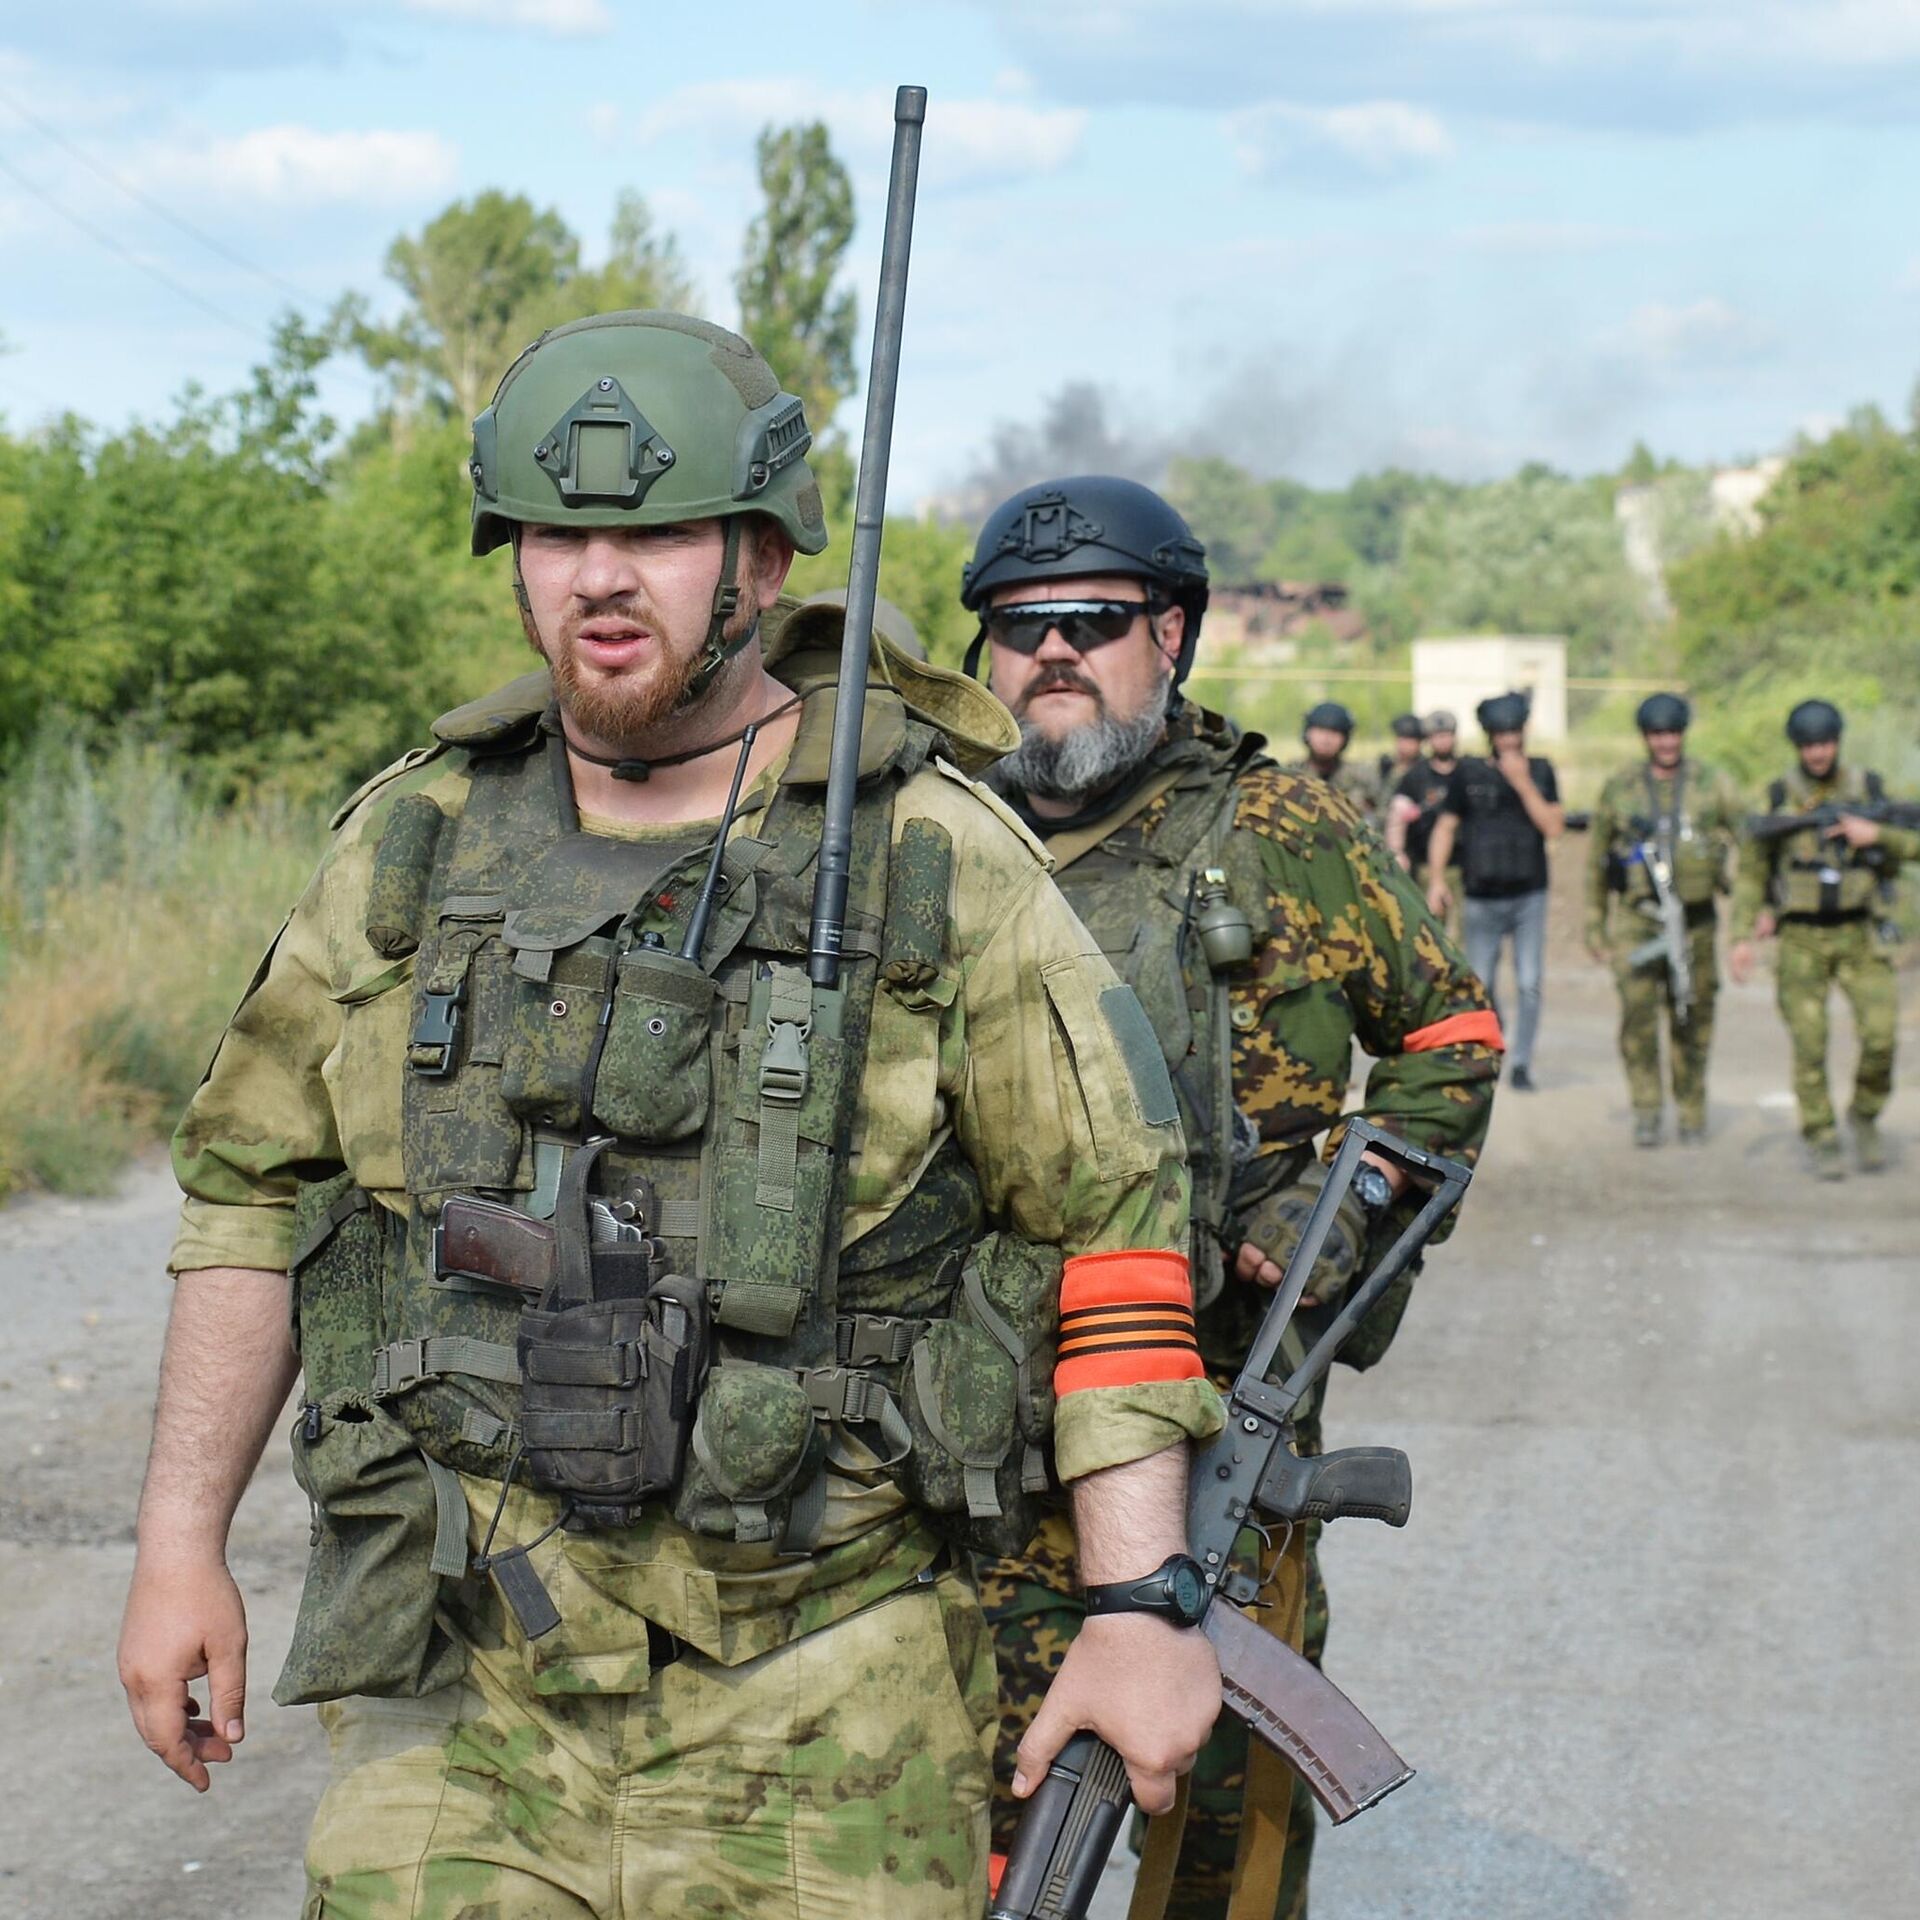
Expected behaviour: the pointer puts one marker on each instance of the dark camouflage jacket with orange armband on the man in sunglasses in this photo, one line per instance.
(1343, 951)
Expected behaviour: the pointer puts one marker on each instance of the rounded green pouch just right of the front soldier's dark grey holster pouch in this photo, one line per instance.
(754, 1443)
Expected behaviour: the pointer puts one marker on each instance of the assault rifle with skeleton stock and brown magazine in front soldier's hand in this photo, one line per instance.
(1249, 1479)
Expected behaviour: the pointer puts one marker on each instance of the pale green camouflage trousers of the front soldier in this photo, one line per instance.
(842, 1775)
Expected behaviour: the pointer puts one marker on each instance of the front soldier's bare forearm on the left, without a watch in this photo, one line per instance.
(224, 1378)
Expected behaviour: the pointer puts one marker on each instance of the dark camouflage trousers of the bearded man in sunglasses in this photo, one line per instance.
(1034, 1610)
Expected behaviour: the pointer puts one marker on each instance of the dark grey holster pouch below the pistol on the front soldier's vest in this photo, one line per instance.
(610, 1393)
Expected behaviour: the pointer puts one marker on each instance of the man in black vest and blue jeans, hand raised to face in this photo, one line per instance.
(1502, 813)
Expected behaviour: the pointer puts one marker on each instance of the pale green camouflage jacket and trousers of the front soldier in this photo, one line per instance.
(713, 1727)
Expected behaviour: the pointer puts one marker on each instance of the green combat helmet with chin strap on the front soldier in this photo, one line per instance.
(646, 420)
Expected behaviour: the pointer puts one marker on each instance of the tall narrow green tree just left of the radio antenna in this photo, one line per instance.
(790, 304)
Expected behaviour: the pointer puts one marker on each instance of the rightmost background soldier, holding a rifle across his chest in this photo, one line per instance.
(1821, 892)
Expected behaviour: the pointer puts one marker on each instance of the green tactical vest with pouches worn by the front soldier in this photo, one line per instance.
(552, 1011)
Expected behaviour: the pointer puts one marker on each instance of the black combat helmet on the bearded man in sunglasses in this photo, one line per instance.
(1090, 525)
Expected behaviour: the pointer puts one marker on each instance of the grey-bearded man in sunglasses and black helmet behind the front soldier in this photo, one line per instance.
(1266, 930)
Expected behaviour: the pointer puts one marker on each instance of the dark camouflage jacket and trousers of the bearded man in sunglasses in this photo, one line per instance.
(1343, 951)
